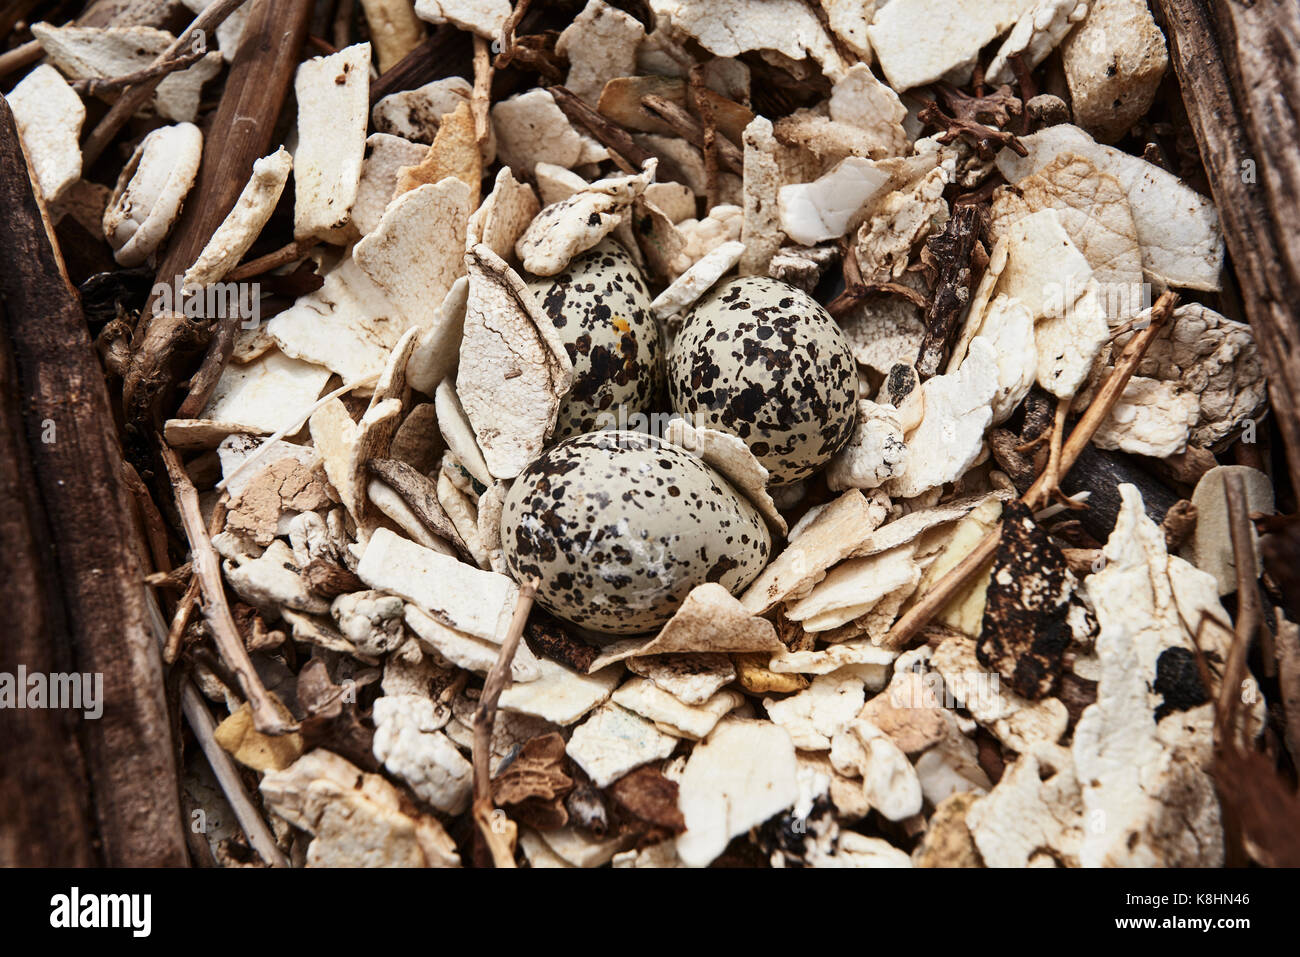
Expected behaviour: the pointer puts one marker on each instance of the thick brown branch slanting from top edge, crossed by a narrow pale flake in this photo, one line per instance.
(240, 135)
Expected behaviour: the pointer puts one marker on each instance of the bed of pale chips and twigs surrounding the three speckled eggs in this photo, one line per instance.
(1035, 610)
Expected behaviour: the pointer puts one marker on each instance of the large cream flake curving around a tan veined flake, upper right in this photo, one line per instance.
(1182, 243)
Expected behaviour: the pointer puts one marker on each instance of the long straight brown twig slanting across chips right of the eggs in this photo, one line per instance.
(1038, 495)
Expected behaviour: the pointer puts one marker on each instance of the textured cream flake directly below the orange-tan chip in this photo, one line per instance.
(417, 252)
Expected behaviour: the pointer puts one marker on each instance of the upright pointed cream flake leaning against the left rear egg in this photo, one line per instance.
(514, 369)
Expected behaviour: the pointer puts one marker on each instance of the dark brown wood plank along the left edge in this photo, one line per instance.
(72, 577)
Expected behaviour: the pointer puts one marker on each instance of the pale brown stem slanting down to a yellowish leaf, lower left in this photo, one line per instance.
(216, 610)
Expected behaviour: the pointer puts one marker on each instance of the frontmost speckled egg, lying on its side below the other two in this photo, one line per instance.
(621, 526)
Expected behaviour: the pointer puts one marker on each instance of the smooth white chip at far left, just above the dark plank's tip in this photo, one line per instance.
(50, 116)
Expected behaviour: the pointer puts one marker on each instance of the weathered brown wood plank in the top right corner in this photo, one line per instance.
(1240, 70)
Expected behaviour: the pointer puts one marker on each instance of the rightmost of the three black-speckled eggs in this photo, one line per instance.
(764, 361)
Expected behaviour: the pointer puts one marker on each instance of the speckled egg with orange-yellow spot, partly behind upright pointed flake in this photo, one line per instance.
(601, 309)
